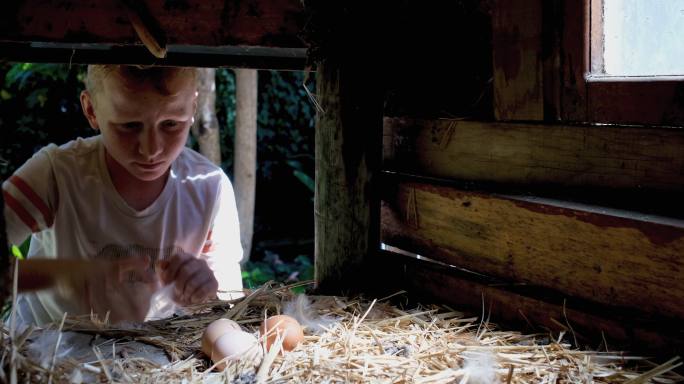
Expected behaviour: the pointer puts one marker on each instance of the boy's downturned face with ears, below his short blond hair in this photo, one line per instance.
(142, 130)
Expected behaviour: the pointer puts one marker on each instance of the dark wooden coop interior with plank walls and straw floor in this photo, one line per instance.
(474, 162)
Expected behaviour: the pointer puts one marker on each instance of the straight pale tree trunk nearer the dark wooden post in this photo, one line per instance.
(245, 153)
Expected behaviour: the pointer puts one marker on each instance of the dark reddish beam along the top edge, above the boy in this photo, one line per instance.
(269, 23)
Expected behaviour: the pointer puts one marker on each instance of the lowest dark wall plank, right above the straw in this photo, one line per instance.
(591, 327)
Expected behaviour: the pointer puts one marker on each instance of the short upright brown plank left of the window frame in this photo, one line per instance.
(516, 35)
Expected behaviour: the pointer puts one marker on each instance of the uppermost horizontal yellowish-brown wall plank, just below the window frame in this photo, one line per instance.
(527, 154)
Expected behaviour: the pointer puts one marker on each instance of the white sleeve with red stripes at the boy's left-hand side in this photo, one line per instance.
(30, 196)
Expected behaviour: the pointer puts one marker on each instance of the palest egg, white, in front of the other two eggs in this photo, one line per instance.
(236, 345)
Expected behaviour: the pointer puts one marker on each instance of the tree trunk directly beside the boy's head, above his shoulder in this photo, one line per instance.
(206, 127)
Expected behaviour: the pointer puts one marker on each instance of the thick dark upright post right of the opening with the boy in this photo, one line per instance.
(348, 155)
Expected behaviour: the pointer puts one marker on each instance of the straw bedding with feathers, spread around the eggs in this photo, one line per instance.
(347, 341)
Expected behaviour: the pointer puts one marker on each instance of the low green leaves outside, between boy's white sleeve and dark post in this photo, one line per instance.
(272, 267)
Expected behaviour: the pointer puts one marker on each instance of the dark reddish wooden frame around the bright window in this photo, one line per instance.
(609, 101)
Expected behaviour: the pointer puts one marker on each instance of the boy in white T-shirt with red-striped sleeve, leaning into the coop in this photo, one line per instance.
(127, 211)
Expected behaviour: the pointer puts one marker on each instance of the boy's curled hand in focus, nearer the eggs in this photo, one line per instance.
(194, 280)
